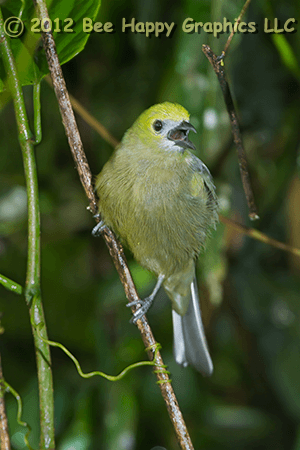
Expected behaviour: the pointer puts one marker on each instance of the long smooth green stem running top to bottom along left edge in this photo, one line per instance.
(32, 287)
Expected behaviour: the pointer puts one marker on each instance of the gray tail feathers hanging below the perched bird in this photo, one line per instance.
(190, 346)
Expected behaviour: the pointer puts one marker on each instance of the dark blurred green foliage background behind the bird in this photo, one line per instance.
(250, 291)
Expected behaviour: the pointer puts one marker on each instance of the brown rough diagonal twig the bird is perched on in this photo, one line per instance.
(114, 246)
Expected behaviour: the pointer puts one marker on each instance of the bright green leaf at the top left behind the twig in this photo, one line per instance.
(67, 26)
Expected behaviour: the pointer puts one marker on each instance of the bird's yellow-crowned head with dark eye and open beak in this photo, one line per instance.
(166, 126)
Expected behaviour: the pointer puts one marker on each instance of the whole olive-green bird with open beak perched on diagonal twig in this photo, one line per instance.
(160, 201)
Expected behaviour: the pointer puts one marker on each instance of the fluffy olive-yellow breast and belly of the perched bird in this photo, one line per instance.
(158, 210)
